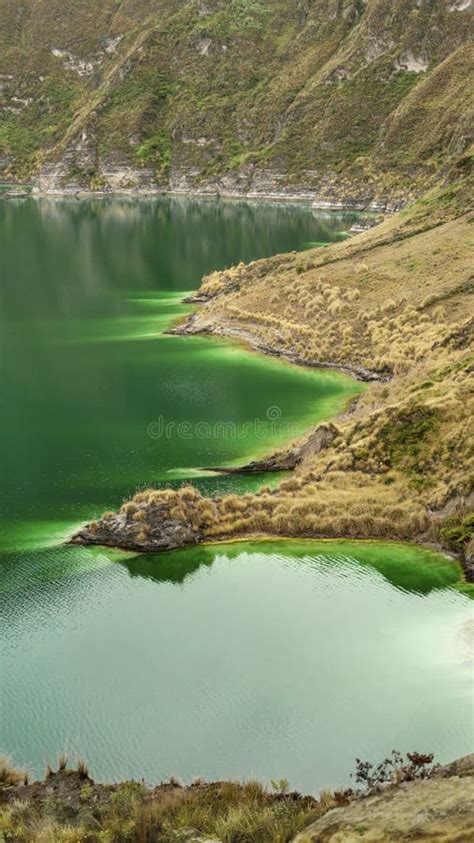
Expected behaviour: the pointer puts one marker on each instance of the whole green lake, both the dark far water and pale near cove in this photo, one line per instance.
(266, 659)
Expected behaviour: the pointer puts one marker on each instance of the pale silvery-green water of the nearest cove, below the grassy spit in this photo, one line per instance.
(256, 659)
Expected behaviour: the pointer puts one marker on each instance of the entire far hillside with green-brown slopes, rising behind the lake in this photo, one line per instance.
(348, 99)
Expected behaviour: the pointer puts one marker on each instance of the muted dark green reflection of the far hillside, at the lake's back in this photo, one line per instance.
(120, 244)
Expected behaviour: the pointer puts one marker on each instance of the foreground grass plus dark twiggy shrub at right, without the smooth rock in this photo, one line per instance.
(69, 807)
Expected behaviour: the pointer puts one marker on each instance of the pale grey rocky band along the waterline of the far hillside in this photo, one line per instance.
(322, 190)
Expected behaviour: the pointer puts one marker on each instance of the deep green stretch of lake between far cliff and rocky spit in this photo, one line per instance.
(88, 287)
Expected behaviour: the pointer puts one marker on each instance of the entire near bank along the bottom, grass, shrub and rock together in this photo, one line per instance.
(417, 801)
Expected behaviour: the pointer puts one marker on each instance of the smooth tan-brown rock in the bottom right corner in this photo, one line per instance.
(439, 809)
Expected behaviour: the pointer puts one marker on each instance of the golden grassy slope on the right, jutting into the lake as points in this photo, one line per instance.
(397, 299)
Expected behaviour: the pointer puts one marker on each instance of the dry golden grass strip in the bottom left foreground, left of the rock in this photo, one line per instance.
(71, 811)
